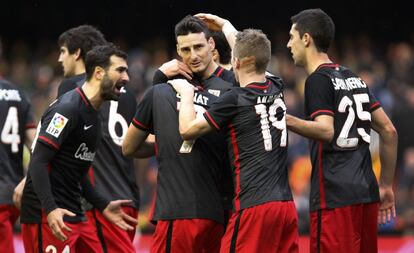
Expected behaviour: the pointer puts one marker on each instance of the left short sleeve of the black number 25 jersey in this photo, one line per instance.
(319, 96)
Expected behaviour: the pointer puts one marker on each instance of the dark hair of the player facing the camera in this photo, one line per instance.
(190, 24)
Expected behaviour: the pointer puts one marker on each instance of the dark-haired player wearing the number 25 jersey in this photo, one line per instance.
(341, 111)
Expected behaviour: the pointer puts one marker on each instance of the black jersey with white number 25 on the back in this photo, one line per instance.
(341, 170)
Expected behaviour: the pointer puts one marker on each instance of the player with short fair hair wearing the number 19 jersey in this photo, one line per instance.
(253, 116)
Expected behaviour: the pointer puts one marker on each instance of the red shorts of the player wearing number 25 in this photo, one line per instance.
(346, 229)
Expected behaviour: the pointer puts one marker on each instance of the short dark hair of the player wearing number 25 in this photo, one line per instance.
(318, 24)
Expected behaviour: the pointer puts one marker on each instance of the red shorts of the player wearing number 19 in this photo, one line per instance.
(269, 227)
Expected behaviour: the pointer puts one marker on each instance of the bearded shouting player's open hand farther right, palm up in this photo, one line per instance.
(113, 212)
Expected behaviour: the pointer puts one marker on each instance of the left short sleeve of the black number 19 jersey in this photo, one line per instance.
(222, 111)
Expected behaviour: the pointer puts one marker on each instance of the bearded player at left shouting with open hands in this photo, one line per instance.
(66, 144)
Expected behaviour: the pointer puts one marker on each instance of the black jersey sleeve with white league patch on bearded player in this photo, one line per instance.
(57, 123)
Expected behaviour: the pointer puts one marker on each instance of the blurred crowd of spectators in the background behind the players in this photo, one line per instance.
(387, 68)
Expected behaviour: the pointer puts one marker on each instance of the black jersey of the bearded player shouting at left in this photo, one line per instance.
(72, 129)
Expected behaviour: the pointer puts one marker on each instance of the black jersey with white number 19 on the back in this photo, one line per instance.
(254, 119)
